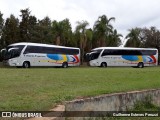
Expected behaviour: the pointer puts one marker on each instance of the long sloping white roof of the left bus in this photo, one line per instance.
(40, 44)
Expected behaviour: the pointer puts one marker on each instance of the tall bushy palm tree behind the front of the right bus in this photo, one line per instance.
(102, 29)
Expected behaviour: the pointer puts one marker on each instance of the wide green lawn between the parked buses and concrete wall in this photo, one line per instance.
(43, 88)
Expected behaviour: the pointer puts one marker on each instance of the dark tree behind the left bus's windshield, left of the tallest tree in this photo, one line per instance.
(10, 31)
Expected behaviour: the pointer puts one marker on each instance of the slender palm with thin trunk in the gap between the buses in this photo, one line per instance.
(81, 31)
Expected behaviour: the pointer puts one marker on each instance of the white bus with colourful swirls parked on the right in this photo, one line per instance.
(117, 56)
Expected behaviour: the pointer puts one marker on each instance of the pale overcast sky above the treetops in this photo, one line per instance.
(128, 13)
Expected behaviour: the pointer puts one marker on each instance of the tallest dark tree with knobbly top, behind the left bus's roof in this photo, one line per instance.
(30, 29)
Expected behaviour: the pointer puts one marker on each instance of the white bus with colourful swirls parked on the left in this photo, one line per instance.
(36, 54)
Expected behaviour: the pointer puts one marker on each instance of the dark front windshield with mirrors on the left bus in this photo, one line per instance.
(11, 52)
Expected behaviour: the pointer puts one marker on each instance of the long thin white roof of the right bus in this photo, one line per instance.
(124, 48)
